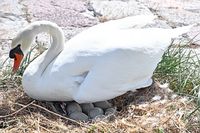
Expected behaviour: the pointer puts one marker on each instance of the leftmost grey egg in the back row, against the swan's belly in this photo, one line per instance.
(73, 107)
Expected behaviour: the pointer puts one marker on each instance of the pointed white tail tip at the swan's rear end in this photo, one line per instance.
(181, 30)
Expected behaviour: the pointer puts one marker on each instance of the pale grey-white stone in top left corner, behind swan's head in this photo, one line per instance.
(11, 18)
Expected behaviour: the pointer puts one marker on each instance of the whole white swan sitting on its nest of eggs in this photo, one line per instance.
(98, 64)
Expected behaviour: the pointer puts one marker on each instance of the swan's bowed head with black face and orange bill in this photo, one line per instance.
(20, 47)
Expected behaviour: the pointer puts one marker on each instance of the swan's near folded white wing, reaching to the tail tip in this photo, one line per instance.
(127, 65)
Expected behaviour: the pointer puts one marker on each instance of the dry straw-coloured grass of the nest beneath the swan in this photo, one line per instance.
(137, 112)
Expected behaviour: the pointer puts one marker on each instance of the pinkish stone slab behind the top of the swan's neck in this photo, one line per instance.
(63, 12)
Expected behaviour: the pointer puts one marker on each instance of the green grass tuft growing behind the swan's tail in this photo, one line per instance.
(180, 67)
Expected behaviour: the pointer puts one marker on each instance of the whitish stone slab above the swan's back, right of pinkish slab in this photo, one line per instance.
(118, 9)
